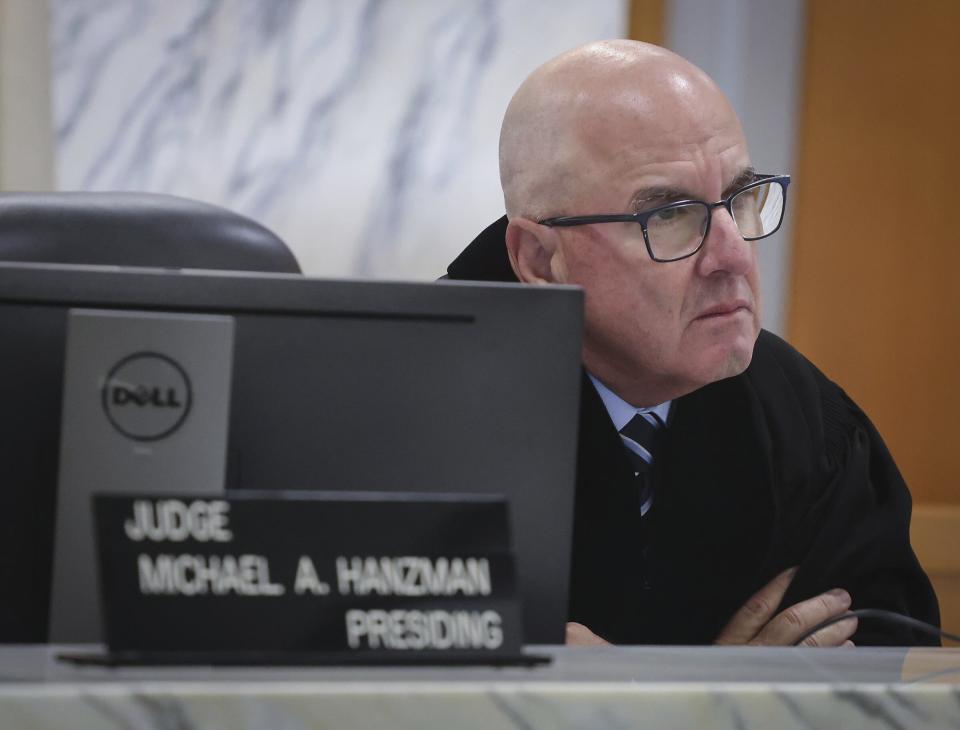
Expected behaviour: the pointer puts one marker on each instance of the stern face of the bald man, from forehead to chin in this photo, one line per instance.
(655, 330)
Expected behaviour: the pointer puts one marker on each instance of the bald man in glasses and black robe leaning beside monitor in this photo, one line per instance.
(727, 491)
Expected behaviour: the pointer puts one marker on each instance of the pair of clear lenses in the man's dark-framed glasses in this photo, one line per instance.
(678, 231)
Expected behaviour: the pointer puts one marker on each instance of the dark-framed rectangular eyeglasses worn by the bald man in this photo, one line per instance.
(678, 230)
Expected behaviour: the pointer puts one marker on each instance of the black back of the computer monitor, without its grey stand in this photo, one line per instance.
(334, 385)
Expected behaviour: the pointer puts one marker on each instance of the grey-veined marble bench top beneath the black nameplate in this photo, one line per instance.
(653, 687)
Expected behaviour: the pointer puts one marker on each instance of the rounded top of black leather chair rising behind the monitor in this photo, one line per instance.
(135, 229)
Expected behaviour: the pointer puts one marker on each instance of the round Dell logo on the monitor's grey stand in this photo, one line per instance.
(146, 396)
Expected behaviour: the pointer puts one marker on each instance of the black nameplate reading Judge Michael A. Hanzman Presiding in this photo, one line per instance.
(346, 576)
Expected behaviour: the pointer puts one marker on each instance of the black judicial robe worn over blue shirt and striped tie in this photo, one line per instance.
(772, 468)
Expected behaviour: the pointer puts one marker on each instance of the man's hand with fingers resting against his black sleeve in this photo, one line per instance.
(753, 624)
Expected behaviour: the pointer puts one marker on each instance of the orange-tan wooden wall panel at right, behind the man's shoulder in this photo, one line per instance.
(876, 291)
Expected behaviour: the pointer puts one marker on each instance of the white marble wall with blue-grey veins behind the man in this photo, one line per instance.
(363, 132)
